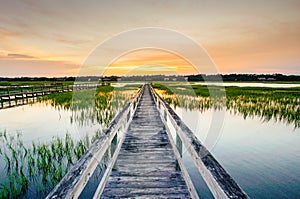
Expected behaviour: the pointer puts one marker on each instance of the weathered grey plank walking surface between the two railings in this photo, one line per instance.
(146, 164)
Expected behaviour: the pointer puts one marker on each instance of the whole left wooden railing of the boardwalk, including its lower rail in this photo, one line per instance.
(109, 143)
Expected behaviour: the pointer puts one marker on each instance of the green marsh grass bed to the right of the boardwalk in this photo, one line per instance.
(281, 104)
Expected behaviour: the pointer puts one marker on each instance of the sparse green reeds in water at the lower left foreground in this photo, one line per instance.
(40, 165)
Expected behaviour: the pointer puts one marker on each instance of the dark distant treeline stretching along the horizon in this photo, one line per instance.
(200, 77)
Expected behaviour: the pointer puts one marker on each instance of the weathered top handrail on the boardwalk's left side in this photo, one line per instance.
(75, 180)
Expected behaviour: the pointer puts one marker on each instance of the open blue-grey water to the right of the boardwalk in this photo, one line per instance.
(263, 157)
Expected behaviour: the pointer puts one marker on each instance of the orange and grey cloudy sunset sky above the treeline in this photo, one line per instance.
(56, 38)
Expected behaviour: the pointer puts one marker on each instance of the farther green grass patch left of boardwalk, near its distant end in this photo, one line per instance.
(90, 106)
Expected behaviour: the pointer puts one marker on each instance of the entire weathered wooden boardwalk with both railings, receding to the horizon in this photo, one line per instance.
(143, 157)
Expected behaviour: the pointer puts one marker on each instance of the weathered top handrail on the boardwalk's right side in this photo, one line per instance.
(220, 183)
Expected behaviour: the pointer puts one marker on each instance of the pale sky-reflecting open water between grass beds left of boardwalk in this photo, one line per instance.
(41, 122)
